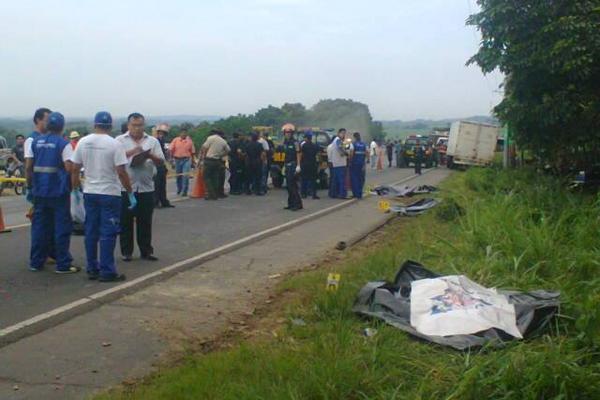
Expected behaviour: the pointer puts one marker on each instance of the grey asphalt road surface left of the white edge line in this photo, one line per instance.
(193, 227)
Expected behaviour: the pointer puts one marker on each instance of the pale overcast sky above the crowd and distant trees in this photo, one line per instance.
(404, 58)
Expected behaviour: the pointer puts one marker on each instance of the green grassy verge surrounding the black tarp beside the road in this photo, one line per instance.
(519, 230)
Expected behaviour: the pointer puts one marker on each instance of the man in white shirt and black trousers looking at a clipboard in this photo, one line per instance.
(145, 156)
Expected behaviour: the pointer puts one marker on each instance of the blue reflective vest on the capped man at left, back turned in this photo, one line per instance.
(50, 179)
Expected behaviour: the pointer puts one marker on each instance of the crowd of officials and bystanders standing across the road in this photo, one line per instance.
(125, 179)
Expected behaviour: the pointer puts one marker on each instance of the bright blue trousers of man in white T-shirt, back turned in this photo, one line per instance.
(102, 225)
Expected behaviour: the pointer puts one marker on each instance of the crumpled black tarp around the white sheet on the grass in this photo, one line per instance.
(391, 303)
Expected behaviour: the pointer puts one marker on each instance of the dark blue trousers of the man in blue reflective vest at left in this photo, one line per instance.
(51, 224)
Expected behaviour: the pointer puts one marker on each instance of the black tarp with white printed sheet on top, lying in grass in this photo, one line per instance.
(454, 311)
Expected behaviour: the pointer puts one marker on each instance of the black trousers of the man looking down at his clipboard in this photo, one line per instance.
(142, 214)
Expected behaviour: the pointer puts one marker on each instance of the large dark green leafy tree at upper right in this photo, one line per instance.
(549, 51)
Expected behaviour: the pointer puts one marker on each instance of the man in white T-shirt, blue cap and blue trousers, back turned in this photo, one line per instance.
(104, 161)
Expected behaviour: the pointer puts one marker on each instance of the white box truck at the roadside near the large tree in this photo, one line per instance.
(471, 143)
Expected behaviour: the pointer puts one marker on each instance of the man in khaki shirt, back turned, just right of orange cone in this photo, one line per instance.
(213, 153)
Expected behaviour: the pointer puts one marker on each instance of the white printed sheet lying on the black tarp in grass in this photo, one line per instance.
(455, 305)
